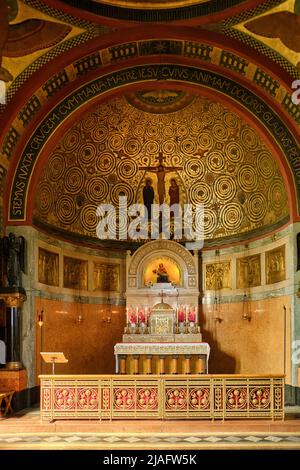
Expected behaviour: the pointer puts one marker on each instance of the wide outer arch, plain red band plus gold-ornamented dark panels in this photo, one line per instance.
(205, 48)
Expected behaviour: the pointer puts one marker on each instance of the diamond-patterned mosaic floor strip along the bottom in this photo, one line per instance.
(149, 441)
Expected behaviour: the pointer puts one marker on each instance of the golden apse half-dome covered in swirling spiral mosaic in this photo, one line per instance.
(213, 156)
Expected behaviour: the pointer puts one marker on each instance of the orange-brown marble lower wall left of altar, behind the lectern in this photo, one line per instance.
(87, 344)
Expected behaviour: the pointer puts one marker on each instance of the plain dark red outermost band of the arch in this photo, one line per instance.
(136, 34)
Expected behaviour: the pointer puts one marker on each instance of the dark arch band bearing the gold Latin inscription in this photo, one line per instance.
(143, 74)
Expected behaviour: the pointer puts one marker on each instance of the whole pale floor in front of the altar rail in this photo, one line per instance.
(24, 430)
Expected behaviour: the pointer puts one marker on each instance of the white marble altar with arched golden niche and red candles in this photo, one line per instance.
(162, 333)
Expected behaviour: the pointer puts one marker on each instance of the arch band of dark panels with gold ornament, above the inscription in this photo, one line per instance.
(205, 52)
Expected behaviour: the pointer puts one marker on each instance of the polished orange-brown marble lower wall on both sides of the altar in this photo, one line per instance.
(237, 346)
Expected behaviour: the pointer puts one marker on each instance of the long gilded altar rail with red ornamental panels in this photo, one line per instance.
(162, 397)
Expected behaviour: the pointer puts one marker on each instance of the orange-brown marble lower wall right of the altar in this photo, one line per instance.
(249, 347)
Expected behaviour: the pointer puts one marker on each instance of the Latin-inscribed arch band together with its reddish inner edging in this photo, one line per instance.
(211, 81)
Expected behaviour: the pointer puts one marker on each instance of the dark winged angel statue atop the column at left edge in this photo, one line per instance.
(13, 249)
